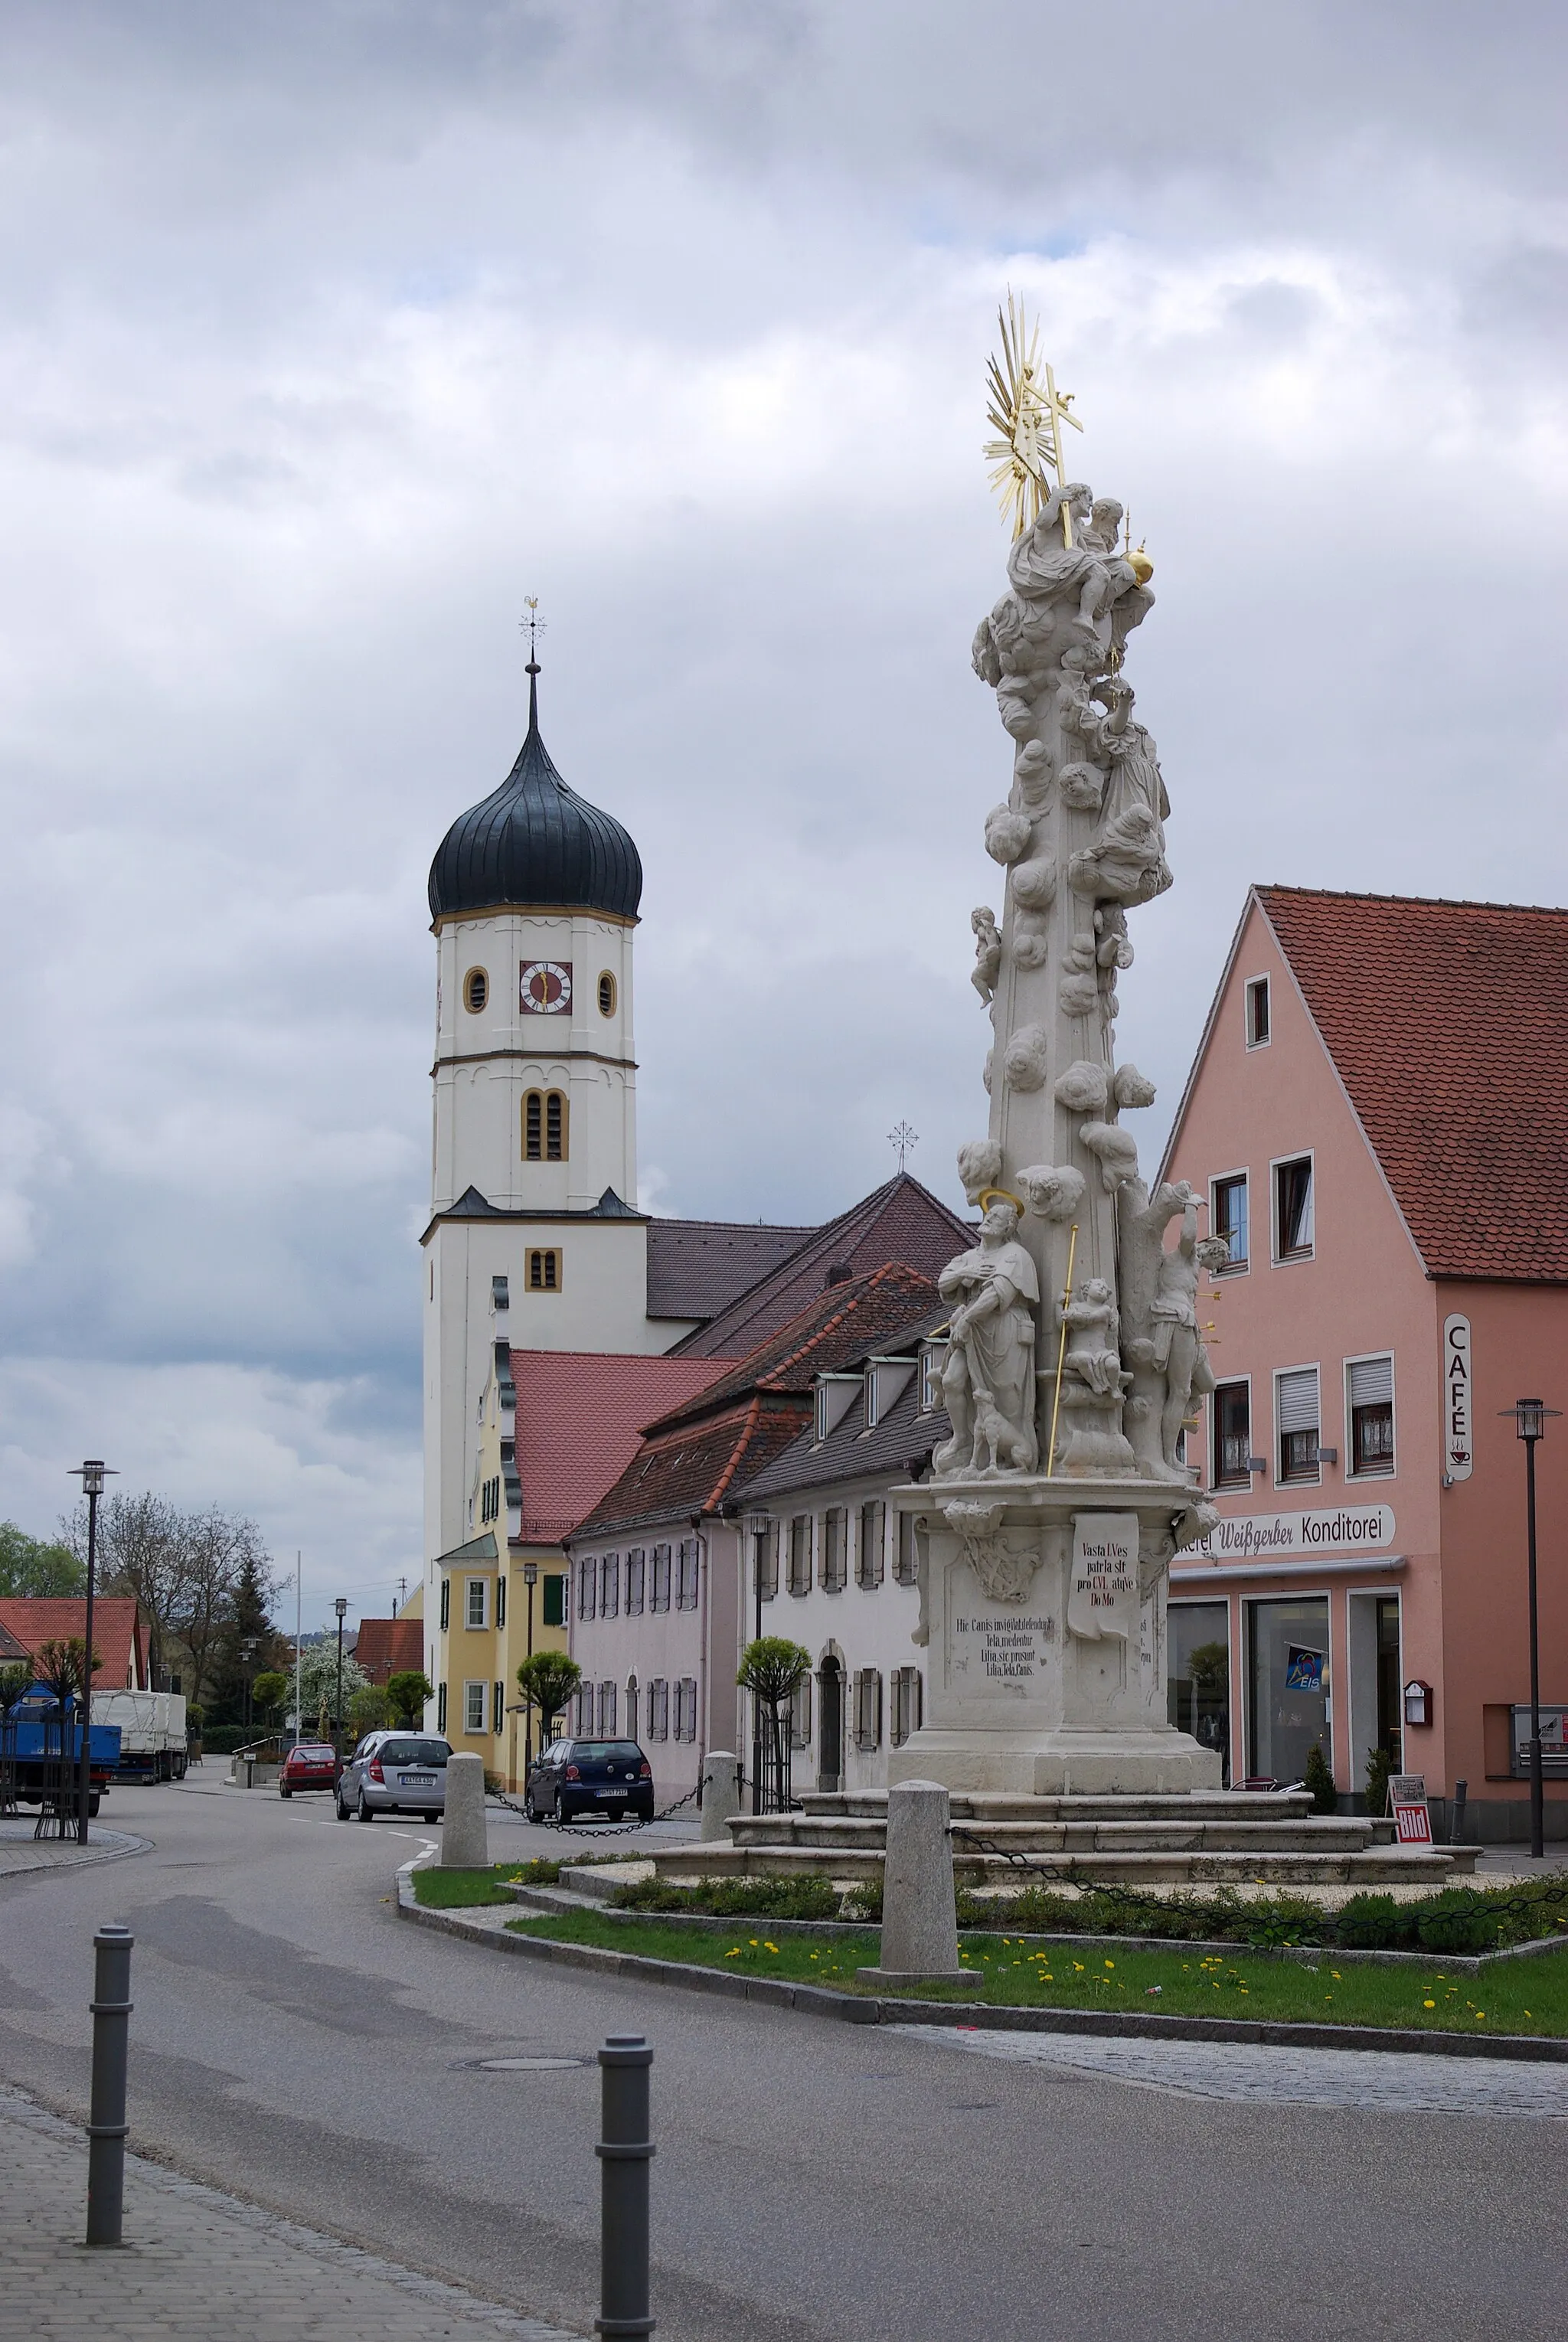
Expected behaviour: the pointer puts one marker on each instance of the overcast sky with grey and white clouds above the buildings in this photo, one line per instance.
(332, 331)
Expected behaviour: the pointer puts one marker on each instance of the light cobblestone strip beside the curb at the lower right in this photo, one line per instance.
(1241, 2071)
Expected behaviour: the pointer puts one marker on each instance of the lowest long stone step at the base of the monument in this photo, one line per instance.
(1372, 1868)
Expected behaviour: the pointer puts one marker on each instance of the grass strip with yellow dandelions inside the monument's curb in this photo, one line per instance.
(1520, 1997)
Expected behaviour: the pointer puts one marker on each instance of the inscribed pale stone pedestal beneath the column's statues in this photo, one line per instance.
(1044, 1624)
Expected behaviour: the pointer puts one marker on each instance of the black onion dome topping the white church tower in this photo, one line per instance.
(538, 844)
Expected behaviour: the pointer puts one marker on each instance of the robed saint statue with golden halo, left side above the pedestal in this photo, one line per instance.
(988, 1381)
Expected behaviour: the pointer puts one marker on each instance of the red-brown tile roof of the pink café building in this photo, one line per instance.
(1450, 1029)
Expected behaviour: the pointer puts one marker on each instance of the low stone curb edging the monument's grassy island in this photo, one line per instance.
(981, 2015)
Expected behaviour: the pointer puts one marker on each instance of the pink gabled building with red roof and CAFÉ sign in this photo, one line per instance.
(1379, 1125)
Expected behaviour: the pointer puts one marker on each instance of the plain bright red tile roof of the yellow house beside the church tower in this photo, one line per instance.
(580, 1423)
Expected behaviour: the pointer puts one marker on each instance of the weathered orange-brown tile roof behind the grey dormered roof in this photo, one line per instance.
(704, 1451)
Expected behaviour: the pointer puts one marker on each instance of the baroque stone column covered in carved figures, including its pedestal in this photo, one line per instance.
(1075, 1350)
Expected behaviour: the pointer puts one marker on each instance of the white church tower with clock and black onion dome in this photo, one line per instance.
(536, 1217)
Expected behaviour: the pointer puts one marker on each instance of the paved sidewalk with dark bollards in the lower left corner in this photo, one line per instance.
(200, 2264)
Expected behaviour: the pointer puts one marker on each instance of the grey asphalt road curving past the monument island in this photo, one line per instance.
(301, 2046)
